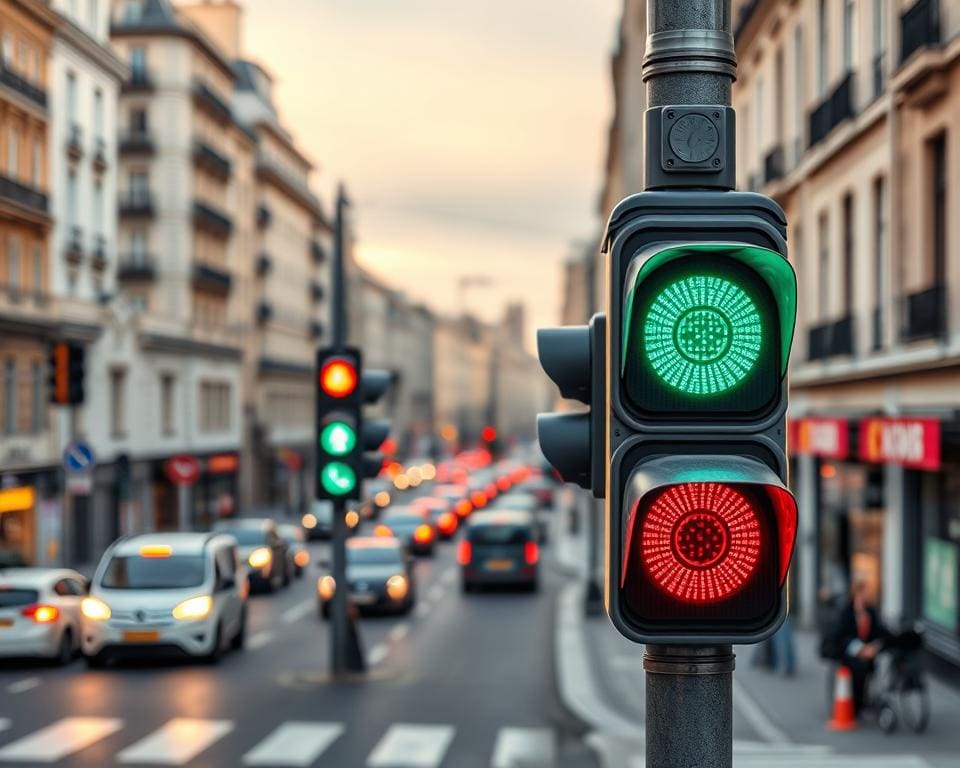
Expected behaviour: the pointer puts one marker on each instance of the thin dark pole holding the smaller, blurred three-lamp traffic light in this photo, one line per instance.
(346, 650)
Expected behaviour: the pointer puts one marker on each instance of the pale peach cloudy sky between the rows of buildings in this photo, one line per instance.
(470, 134)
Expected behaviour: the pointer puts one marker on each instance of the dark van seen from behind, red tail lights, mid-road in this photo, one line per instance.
(499, 549)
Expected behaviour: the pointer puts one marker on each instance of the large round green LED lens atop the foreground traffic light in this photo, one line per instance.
(702, 335)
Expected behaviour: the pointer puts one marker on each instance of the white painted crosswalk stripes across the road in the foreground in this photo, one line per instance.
(291, 744)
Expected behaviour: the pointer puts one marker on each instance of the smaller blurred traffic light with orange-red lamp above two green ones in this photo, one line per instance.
(343, 437)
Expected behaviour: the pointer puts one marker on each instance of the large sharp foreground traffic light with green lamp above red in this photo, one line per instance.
(700, 527)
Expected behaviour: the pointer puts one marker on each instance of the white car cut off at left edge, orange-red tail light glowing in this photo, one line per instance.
(40, 612)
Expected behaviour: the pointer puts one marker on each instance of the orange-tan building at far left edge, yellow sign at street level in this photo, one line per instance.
(28, 450)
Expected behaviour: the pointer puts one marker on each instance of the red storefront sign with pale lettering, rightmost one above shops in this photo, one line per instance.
(913, 443)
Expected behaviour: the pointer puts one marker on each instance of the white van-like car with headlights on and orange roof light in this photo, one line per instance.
(166, 594)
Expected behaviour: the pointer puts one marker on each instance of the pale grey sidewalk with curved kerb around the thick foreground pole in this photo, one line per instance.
(777, 721)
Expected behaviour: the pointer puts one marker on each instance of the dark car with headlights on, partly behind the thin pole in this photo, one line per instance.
(379, 577)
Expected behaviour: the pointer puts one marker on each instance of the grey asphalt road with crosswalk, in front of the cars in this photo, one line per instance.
(465, 680)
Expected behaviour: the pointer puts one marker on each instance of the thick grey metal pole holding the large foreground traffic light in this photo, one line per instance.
(690, 59)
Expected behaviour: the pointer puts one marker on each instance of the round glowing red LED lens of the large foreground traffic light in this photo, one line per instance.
(700, 542)
